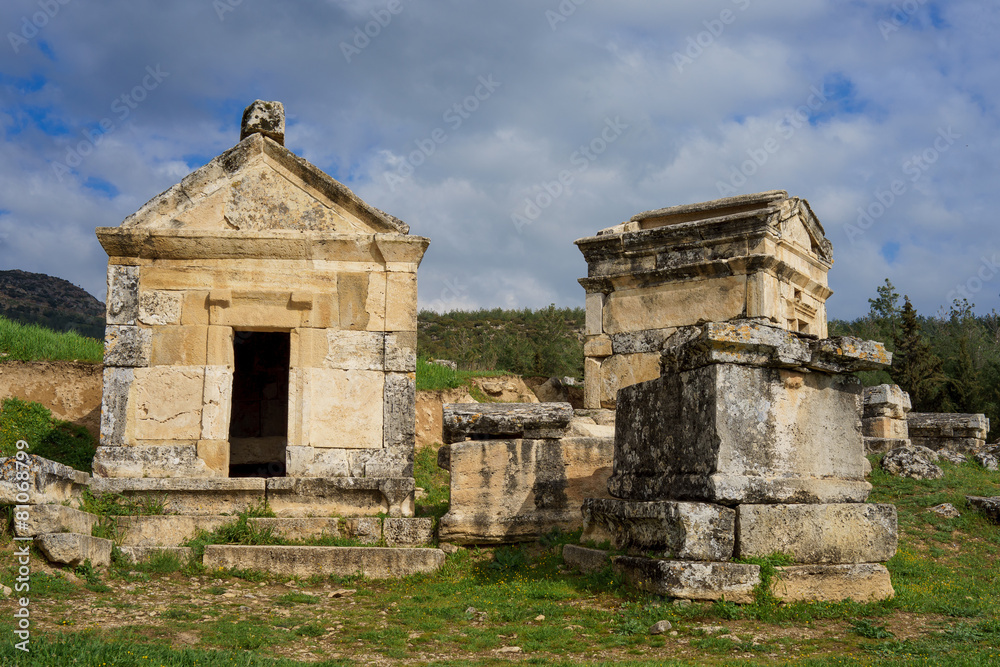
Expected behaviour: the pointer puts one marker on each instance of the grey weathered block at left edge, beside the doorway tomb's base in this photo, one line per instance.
(48, 481)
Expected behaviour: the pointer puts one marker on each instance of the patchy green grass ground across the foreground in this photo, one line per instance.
(484, 602)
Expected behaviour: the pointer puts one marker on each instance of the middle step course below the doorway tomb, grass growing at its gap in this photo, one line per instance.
(171, 530)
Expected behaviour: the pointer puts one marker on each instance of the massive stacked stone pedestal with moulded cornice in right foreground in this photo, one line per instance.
(750, 443)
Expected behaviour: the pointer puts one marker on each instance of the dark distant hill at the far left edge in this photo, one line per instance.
(36, 298)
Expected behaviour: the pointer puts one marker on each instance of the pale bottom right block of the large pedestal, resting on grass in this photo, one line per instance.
(861, 582)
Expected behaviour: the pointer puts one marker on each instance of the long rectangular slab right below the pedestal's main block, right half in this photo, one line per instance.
(839, 533)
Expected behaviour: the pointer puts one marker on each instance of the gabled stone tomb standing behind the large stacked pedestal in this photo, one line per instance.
(753, 256)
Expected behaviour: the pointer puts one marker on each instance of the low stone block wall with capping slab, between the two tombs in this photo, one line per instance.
(525, 471)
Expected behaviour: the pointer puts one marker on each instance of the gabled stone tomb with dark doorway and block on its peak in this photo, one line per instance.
(261, 323)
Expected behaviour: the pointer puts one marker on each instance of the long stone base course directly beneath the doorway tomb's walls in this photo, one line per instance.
(287, 496)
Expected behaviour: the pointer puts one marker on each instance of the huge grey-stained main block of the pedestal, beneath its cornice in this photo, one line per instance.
(731, 434)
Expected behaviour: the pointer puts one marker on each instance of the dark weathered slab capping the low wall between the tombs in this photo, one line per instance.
(505, 421)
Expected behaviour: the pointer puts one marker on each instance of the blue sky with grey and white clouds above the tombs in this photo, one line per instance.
(884, 114)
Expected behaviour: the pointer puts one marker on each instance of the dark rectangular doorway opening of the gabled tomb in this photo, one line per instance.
(258, 428)
